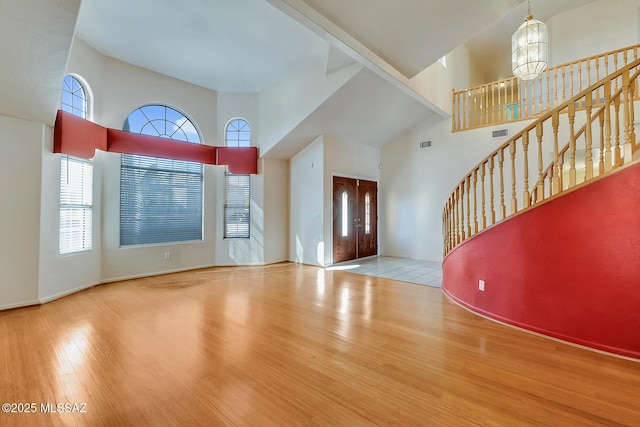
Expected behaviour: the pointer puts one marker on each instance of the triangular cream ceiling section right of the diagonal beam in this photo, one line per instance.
(412, 34)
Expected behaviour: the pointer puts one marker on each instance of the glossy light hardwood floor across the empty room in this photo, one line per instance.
(296, 345)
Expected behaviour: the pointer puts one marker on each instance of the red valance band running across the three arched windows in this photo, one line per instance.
(79, 137)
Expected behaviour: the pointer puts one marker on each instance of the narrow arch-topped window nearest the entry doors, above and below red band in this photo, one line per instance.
(237, 188)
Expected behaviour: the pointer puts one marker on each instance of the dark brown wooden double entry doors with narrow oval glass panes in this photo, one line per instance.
(355, 218)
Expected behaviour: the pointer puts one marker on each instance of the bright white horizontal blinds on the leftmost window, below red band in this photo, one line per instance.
(76, 205)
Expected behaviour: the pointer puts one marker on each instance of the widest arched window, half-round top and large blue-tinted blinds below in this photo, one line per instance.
(160, 199)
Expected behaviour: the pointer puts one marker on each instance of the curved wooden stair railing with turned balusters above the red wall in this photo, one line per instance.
(597, 123)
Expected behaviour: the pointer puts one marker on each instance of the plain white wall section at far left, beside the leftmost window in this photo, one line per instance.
(20, 174)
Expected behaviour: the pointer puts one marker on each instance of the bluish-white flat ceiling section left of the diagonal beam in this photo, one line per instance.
(225, 45)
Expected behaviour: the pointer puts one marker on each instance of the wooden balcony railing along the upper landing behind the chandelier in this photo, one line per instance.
(512, 99)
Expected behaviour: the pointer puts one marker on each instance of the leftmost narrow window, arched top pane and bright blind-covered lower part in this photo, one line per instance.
(76, 181)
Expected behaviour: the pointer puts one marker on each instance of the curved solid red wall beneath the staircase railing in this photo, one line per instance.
(569, 269)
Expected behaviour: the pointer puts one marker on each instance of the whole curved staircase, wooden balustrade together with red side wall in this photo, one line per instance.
(544, 232)
